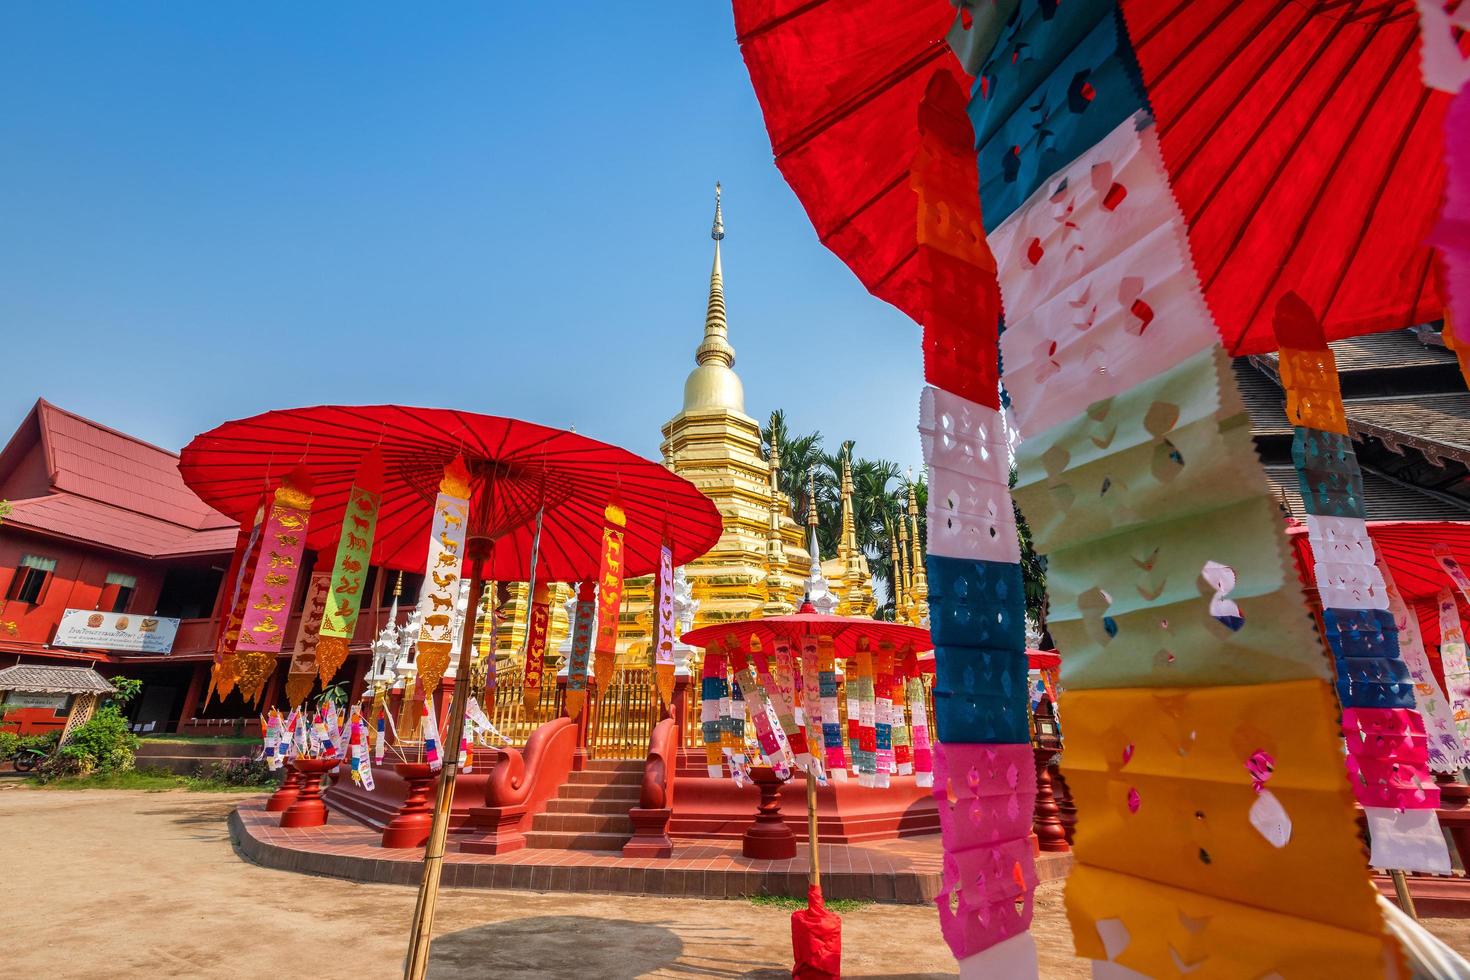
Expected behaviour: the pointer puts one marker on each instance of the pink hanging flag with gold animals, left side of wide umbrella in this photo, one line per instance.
(283, 540)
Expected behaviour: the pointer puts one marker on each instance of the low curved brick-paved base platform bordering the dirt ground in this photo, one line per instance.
(903, 872)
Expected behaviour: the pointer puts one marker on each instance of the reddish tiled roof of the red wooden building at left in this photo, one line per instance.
(120, 493)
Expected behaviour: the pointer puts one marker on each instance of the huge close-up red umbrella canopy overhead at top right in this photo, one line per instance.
(1302, 143)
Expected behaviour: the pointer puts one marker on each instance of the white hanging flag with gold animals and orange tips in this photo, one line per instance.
(442, 575)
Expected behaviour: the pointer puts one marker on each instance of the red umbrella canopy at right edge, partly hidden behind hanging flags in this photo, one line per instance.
(1409, 550)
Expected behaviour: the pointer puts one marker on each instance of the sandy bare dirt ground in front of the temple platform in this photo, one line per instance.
(148, 885)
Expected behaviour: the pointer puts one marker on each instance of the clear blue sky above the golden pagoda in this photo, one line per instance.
(214, 209)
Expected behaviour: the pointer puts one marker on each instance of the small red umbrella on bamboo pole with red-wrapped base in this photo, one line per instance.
(817, 934)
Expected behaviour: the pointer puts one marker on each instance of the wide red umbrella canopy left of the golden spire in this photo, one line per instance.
(517, 469)
